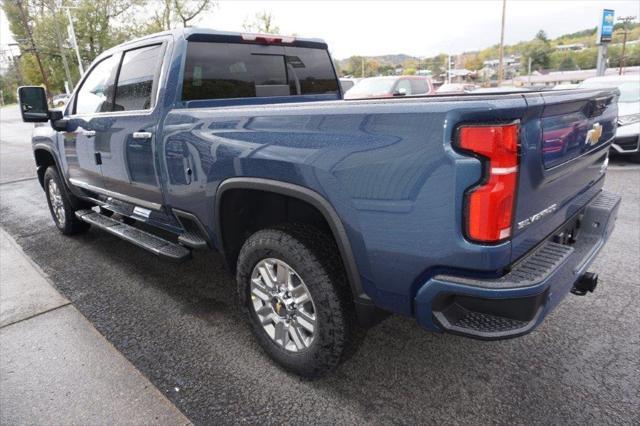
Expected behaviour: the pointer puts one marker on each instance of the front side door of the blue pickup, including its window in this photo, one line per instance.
(88, 115)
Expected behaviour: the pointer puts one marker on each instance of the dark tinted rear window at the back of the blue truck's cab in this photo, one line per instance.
(220, 70)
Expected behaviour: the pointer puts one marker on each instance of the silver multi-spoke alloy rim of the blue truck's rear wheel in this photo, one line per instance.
(283, 304)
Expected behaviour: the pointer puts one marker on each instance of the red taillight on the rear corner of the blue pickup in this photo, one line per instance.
(489, 205)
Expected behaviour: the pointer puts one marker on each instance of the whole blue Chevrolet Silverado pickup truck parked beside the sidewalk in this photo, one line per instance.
(475, 214)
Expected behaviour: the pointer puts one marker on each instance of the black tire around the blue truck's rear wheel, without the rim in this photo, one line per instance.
(314, 256)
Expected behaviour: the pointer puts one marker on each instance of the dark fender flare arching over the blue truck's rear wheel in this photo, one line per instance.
(316, 200)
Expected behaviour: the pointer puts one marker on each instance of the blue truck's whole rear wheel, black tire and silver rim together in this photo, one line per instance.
(292, 286)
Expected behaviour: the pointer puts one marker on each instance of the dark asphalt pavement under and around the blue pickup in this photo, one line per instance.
(180, 326)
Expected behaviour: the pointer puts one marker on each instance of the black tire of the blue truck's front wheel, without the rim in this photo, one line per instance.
(69, 224)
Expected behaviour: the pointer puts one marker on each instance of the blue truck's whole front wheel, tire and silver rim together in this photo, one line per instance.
(60, 205)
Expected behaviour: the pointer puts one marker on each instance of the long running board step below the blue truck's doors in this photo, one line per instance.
(154, 244)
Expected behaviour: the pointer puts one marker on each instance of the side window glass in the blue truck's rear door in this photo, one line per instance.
(135, 87)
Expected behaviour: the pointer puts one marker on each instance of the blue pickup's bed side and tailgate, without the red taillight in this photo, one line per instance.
(391, 171)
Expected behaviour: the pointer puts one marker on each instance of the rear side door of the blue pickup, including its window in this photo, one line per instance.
(127, 147)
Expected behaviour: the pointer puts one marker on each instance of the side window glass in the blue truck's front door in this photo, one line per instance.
(96, 92)
